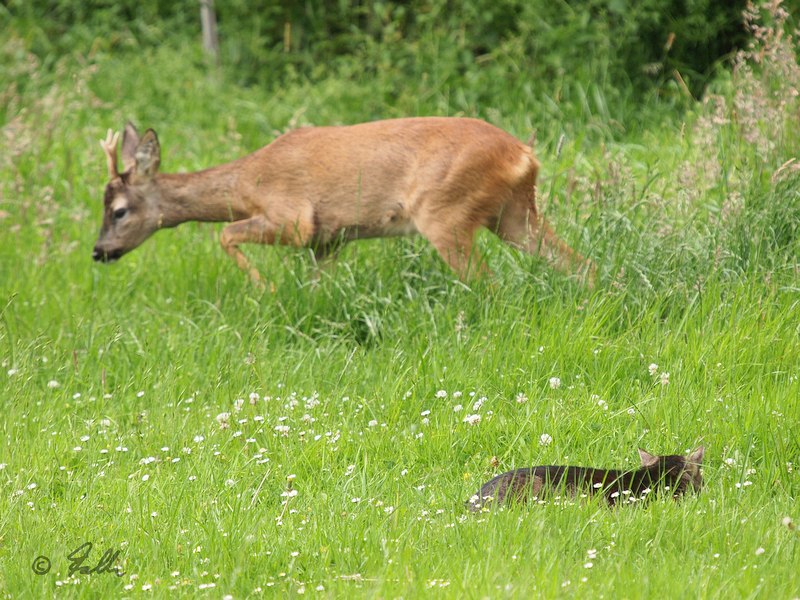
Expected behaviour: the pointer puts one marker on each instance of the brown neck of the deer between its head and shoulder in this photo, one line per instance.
(209, 195)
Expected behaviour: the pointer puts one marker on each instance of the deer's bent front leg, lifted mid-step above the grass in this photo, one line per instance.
(260, 230)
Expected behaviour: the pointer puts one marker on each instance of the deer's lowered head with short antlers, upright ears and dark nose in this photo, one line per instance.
(131, 199)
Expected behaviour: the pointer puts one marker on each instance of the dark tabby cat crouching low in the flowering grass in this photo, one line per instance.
(673, 473)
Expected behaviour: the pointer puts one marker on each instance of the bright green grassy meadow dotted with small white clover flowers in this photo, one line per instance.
(321, 439)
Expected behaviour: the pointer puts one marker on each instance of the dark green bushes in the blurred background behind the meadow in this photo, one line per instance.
(636, 43)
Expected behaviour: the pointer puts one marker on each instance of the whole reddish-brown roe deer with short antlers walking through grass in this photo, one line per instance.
(323, 186)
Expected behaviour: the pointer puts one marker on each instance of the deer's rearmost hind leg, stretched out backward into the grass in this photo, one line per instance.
(520, 226)
